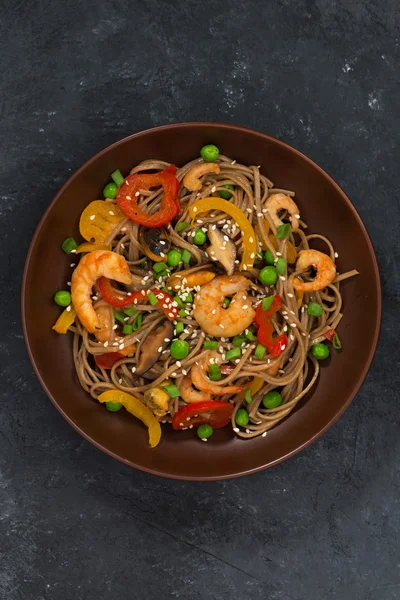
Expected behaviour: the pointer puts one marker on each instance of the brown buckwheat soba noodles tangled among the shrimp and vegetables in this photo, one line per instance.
(298, 370)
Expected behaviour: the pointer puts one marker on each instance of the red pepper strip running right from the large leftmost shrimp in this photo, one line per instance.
(119, 300)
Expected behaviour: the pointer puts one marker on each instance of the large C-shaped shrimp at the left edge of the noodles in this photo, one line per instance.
(99, 263)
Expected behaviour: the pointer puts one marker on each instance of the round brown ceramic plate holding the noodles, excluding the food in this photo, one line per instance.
(326, 209)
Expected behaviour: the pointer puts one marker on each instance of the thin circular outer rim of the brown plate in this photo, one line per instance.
(357, 384)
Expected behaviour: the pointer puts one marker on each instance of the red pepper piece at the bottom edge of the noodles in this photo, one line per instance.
(210, 412)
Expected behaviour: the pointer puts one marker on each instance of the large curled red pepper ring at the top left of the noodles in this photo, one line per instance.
(170, 206)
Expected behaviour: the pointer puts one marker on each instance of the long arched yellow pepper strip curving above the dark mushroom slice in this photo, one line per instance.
(248, 234)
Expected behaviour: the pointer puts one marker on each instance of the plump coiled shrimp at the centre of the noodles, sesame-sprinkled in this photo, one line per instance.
(210, 314)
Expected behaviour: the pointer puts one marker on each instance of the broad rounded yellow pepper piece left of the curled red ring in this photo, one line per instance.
(98, 219)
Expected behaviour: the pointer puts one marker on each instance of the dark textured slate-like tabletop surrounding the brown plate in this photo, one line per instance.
(76, 76)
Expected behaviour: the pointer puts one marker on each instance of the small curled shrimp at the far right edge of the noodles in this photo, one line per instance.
(324, 265)
